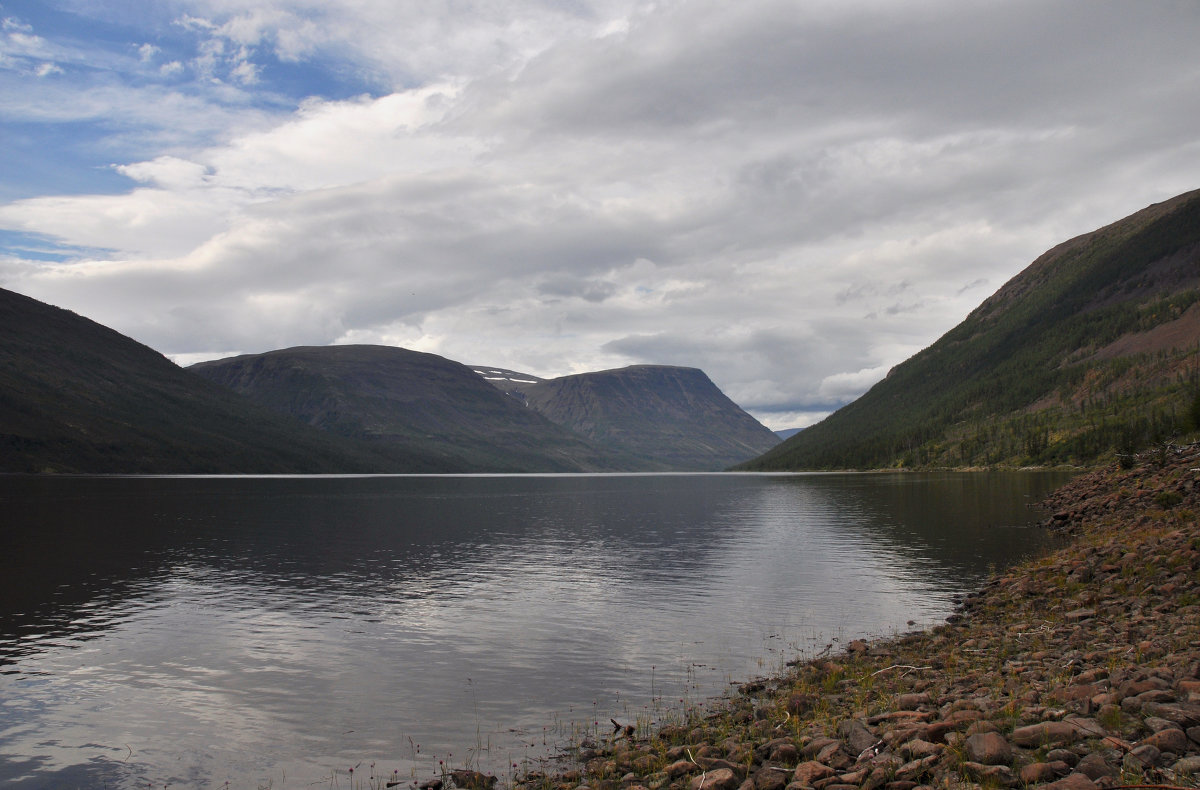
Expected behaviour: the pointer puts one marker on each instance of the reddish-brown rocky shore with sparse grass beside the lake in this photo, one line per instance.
(1077, 671)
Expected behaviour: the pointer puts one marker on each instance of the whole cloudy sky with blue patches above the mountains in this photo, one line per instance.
(793, 196)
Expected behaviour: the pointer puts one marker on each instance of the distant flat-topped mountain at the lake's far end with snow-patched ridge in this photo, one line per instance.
(674, 417)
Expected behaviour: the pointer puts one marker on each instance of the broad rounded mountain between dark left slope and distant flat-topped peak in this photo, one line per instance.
(403, 403)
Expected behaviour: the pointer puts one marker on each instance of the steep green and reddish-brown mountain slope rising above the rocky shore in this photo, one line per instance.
(1094, 350)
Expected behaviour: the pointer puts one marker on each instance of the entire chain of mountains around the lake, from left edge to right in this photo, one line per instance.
(1090, 354)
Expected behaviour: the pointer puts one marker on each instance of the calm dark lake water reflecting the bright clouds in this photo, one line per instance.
(196, 632)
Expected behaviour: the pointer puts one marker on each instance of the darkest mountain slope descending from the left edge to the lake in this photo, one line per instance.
(77, 397)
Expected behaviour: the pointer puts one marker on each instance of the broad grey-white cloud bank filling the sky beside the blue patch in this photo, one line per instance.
(716, 188)
